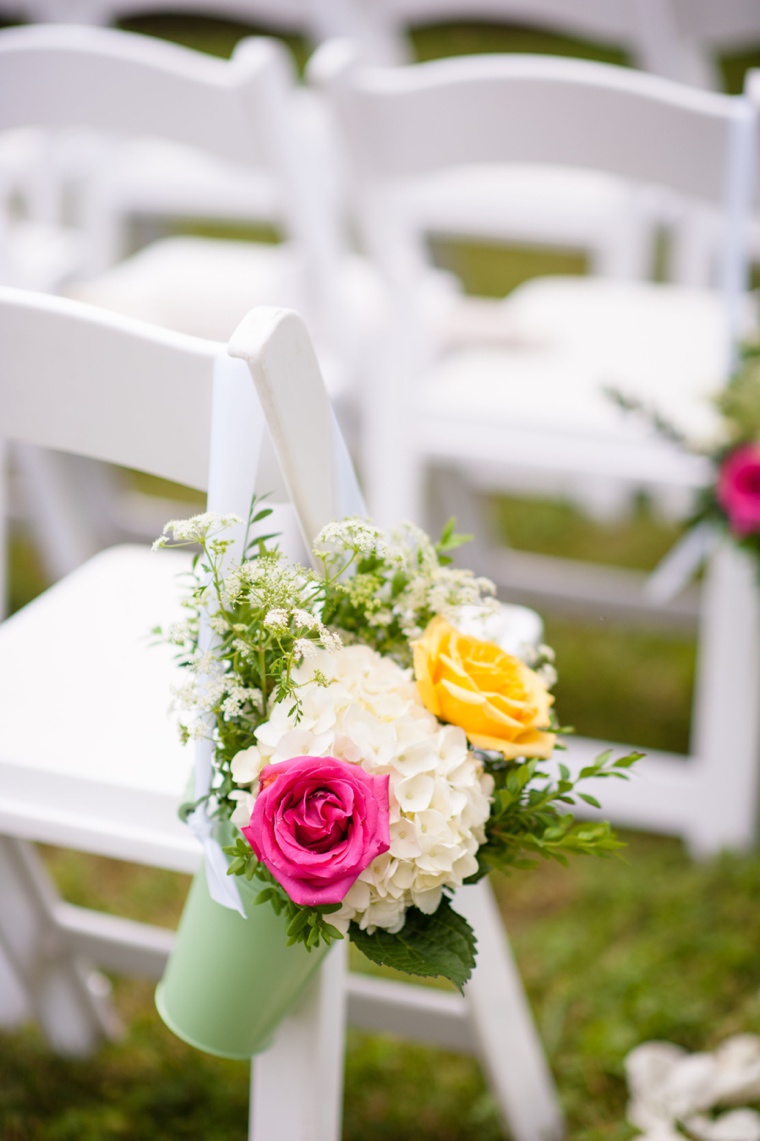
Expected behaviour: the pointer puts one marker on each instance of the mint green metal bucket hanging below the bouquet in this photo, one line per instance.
(231, 981)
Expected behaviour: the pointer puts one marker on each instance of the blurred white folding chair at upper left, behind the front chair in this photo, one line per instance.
(238, 111)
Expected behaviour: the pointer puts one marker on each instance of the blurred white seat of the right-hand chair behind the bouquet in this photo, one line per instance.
(564, 342)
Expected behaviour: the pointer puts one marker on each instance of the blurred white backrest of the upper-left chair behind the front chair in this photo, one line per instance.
(120, 84)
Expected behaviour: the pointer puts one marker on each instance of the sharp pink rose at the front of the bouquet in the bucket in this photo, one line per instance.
(317, 824)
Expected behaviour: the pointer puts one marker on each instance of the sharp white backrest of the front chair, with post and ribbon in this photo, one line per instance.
(100, 385)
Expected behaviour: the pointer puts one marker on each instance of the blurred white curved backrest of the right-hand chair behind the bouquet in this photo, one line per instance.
(407, 124)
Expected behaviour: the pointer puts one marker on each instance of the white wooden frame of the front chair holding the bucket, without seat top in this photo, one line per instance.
(48, 948)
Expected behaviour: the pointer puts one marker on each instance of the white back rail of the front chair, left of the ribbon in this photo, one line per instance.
(100, 385)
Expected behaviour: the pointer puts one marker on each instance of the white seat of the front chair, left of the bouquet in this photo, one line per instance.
(95, 776)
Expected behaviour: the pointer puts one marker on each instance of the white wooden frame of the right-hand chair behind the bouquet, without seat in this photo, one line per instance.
(389, 118)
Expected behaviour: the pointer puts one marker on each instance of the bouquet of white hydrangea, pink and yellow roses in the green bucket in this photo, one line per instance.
(370, 754)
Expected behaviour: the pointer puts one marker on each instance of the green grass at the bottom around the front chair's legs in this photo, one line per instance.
(613, 953)
